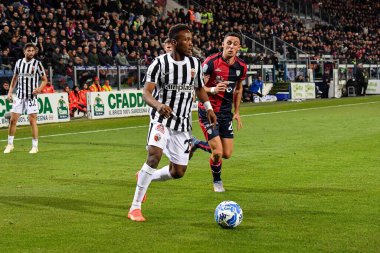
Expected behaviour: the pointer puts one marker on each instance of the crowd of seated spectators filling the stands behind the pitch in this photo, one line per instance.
(123, 32)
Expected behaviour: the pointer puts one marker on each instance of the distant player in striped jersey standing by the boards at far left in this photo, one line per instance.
(27, 74)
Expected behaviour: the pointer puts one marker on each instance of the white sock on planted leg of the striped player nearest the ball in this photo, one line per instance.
(145, 177)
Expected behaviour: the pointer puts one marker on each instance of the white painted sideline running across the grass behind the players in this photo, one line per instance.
(246, 115)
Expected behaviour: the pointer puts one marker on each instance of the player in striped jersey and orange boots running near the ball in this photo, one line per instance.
(170, 82)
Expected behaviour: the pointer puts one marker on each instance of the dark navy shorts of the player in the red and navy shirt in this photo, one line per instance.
(223, 128)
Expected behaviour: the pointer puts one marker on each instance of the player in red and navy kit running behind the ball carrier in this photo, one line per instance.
(223, 73)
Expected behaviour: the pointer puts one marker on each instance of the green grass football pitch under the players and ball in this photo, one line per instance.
(306, 175)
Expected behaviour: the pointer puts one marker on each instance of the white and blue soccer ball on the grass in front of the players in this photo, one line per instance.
(228, 214)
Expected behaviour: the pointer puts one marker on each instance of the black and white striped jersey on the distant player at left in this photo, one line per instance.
(29, 74)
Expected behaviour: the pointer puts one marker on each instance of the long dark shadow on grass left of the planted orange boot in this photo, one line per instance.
(31, 202)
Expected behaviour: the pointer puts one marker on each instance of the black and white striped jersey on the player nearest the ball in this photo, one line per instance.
(175, 82)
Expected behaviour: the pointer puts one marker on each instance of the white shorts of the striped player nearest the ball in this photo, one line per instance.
(175, 144)
